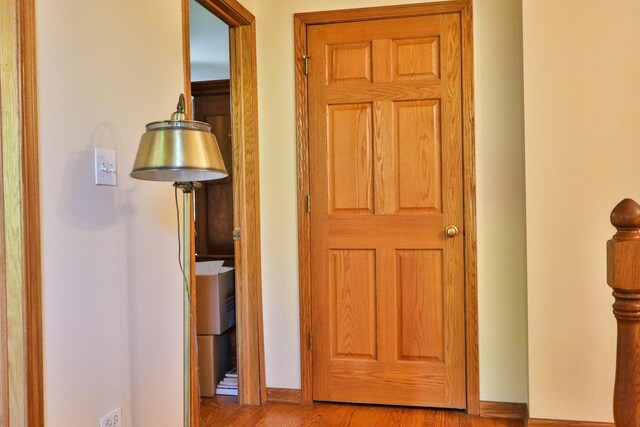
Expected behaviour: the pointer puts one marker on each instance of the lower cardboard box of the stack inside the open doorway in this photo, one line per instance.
(213, 362)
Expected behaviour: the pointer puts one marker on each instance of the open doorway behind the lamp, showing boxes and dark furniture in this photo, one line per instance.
(214, 248)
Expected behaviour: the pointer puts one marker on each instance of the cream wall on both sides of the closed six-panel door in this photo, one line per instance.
(502, 288)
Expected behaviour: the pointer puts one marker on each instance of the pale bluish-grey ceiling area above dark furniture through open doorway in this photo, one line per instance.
(209, 44)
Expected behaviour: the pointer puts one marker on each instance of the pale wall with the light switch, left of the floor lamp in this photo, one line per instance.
(112, 289)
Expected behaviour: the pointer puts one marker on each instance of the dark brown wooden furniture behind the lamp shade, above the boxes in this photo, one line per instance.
(214, 201)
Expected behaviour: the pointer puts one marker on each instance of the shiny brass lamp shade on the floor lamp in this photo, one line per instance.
(178, 150)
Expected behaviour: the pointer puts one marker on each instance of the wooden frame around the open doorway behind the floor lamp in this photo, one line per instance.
(246, 194)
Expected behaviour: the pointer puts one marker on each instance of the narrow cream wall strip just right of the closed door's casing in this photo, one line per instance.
(501, 200)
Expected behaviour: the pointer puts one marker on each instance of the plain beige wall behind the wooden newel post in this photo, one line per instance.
(581, 62)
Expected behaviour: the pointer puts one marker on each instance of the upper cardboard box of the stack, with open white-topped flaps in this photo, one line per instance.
(215, 298)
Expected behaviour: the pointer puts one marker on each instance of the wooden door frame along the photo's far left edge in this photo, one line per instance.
(21, 372)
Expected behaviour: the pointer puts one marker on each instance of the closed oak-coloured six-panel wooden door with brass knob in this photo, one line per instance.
(385, 151)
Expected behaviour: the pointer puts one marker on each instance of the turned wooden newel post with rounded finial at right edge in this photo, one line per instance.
(623, 275)
